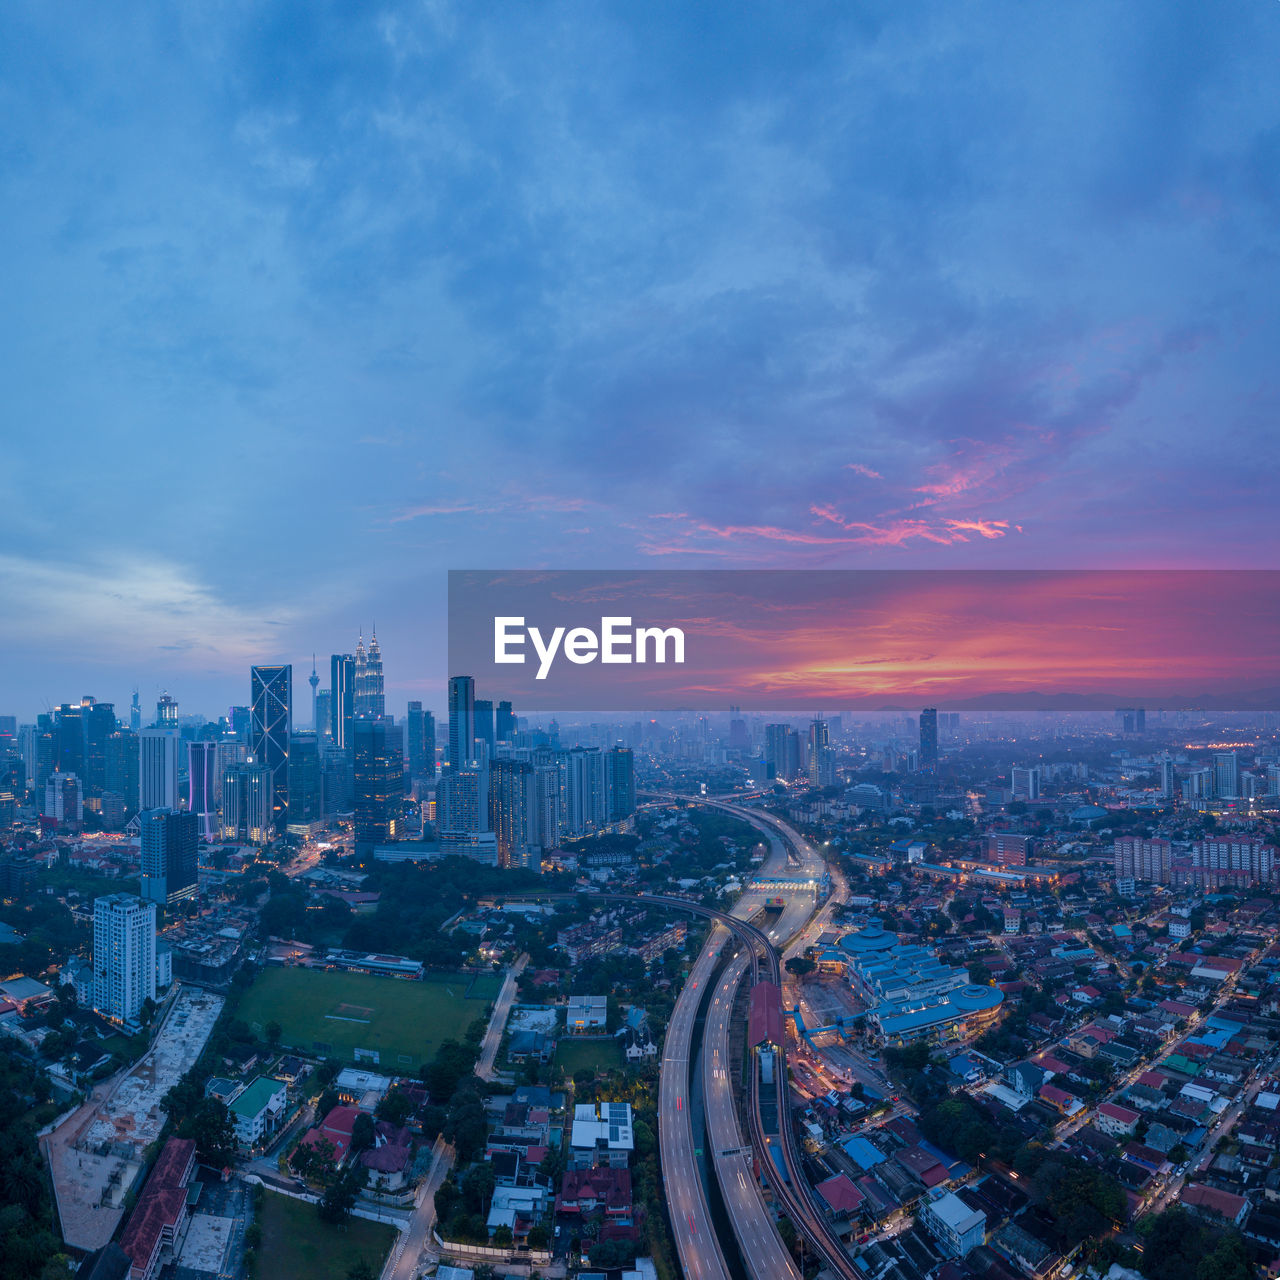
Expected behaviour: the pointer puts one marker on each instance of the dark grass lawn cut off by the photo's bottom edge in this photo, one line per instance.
(298, 1246)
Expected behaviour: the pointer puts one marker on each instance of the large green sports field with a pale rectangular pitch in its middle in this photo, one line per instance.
(333, 1014)
